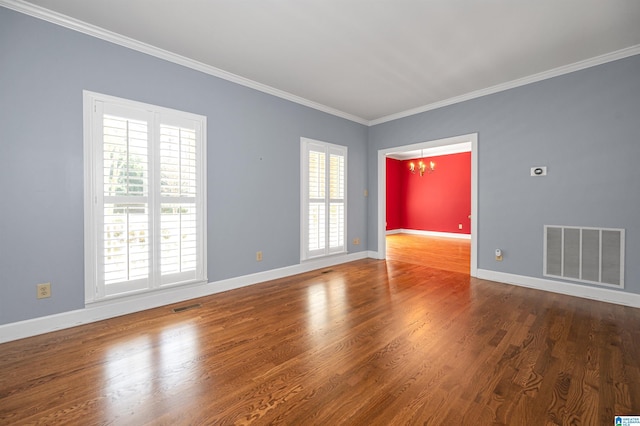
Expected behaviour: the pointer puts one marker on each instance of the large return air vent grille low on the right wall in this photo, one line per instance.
(590, 255)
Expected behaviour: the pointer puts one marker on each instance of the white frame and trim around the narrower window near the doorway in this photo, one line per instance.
(304, 197)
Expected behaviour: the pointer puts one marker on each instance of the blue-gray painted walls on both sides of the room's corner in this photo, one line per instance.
(584, 126)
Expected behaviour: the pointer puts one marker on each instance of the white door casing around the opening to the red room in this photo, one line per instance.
(382, 193)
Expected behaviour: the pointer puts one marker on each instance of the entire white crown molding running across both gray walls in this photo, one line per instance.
(95, 31)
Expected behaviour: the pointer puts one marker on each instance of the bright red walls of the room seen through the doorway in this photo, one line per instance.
(437, 201)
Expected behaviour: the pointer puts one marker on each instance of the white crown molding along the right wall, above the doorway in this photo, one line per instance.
(566, 69)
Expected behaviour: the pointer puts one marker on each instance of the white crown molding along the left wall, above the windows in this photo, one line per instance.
(103, 34)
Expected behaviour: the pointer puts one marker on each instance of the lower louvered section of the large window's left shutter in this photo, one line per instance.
(126, 242)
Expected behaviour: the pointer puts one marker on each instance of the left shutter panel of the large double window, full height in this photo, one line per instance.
(124, 251)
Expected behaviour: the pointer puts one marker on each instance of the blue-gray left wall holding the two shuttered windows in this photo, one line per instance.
(253, 160)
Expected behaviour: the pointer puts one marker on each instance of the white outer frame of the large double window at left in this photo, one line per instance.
(94, 292)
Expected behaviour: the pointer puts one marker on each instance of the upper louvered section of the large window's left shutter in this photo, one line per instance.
(125, 157)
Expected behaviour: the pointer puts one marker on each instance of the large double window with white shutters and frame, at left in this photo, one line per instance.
(144, 197)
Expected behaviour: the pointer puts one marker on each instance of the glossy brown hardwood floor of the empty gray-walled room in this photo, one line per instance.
(365, 343)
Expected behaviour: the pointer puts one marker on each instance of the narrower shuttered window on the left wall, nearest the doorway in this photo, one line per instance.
(324, 198)
